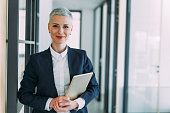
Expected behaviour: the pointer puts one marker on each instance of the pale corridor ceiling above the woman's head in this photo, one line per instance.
(77, 4)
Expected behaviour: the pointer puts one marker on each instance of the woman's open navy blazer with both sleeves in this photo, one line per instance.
(39, 74)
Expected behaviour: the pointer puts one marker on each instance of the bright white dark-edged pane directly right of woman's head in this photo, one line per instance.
(74, 40)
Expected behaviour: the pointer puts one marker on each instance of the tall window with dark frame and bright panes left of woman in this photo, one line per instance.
(20, 46)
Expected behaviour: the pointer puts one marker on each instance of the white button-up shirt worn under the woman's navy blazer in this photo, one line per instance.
(61, 76)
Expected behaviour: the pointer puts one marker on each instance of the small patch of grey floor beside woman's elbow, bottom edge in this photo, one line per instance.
(95, 107)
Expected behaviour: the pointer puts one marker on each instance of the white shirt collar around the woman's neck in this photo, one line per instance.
(56, 55)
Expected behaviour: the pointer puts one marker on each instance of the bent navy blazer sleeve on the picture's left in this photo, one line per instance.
(26, 93)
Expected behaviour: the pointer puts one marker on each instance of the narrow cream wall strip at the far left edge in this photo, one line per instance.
(3, 24)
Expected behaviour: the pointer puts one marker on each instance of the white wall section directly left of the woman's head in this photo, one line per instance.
(44, 37)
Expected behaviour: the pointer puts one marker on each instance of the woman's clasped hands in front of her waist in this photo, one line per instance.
(63, 104)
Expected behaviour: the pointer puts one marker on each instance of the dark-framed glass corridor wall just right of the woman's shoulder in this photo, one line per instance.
(100, 46)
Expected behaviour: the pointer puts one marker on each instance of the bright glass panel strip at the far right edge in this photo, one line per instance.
(164, 81)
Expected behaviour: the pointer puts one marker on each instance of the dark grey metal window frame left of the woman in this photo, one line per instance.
(31, 46)
